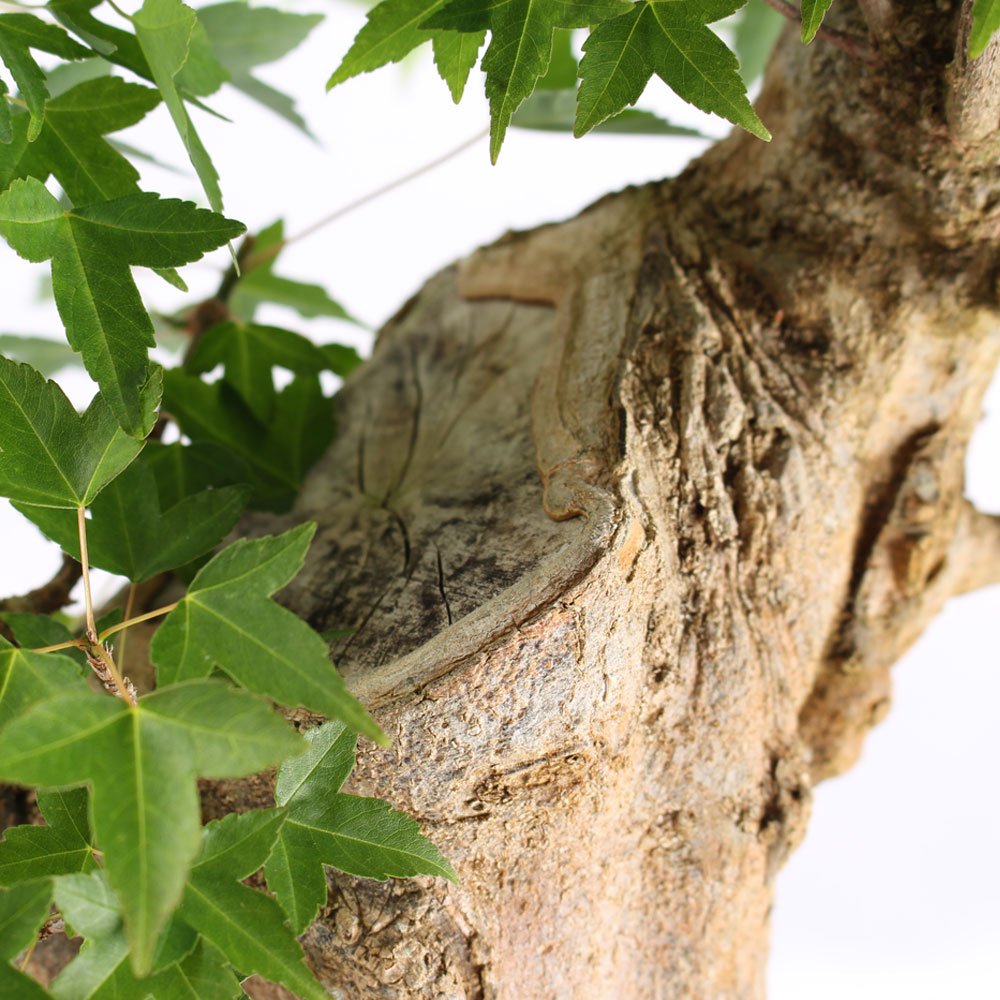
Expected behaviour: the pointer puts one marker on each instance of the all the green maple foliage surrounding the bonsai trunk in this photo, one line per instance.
(159, 899)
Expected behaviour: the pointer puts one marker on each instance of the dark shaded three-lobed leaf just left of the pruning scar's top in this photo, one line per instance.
(249, 352)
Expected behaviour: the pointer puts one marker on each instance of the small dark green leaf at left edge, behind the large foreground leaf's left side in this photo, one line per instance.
(60, 848)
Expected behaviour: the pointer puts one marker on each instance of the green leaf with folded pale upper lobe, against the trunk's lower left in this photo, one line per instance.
(361, 836)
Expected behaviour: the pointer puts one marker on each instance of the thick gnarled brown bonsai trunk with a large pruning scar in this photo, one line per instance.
(632, 514)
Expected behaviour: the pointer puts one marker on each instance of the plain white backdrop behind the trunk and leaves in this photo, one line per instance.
(895, 891)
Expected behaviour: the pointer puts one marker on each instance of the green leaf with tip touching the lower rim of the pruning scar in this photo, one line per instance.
(227, 620)
